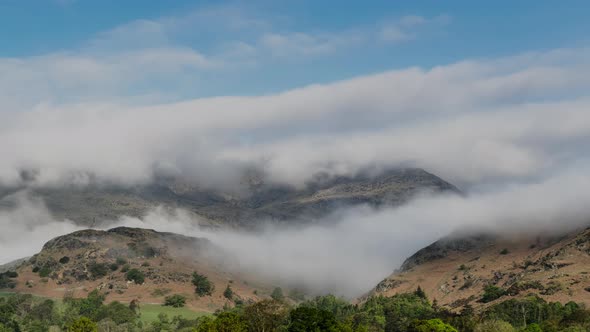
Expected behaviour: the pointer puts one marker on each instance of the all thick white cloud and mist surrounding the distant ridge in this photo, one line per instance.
(512, 133)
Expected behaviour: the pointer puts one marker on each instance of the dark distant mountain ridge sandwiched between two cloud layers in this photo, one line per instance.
(257, 201)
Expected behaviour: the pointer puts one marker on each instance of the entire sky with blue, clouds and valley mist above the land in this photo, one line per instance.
(493, 99)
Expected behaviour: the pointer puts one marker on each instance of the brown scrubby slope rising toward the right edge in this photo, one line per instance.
(482, 269)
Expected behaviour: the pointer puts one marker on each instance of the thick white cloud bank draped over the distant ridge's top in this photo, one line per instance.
(472, 123)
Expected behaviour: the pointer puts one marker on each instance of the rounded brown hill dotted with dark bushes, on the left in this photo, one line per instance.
(77, 263)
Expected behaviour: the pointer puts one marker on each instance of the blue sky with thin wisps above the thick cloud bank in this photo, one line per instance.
(314, 41)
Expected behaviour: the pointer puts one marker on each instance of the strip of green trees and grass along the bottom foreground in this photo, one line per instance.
(403, 312)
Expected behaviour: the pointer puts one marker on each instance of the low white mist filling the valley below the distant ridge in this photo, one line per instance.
(360, 246)
